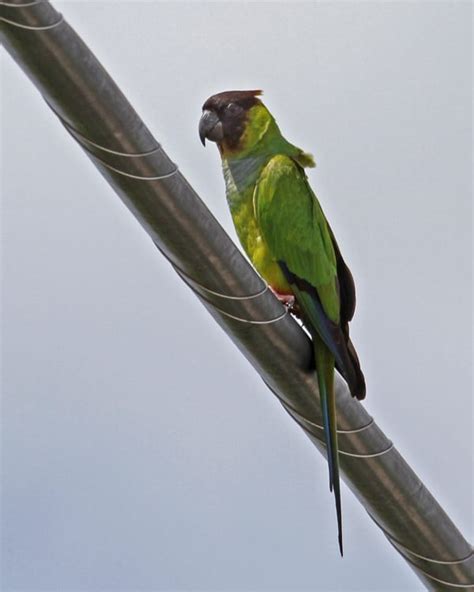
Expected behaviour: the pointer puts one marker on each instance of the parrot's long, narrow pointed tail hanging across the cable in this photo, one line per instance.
(325, 370)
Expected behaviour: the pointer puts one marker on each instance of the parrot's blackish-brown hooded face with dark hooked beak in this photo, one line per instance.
(224, 116)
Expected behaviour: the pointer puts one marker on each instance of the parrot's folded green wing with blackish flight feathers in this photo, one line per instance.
(293, 225)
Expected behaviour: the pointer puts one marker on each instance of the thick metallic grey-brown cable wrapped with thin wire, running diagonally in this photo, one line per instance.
(125, 152)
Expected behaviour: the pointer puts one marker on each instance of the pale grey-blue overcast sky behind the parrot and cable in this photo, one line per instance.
(140, 449)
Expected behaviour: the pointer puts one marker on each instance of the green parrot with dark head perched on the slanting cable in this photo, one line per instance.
(284, 232)
